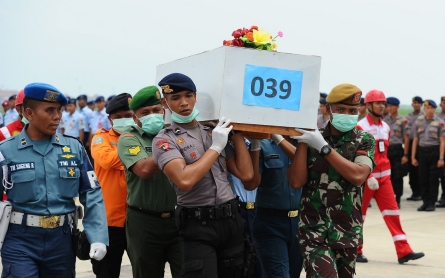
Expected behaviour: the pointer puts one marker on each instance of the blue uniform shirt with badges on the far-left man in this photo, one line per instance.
(46, 183)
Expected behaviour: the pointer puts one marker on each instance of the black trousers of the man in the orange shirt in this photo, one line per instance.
(110, 265)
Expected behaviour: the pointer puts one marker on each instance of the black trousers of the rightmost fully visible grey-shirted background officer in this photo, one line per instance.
(429, 173)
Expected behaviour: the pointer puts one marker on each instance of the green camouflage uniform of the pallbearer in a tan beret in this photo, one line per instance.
(330, 228)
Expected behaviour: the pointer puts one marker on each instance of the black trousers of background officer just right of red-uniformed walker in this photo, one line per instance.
(395, 155)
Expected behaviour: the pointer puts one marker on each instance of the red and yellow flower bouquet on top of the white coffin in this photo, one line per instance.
(253, 38)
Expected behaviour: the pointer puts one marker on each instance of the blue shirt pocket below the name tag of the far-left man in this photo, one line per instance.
(24, 188)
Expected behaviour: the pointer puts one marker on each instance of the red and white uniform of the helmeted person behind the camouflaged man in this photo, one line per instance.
(384, 196)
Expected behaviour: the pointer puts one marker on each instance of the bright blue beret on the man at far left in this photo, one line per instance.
(44, 92)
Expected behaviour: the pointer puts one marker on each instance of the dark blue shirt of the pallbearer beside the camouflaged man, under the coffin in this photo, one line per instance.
(274, 190)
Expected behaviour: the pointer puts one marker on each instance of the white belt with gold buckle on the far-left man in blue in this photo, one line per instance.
(41, 221)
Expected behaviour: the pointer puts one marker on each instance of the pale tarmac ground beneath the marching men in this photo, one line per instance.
(425, 231)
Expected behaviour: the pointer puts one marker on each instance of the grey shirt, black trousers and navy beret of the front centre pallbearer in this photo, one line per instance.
(210, 225)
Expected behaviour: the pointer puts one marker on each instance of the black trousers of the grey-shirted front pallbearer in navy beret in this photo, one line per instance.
(209, 245)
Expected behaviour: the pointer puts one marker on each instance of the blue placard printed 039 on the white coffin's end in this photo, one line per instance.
(272, 87)
